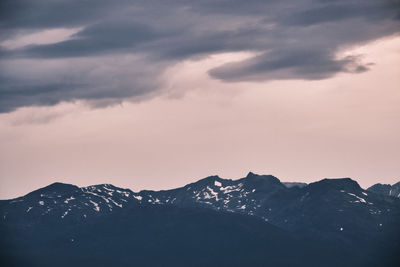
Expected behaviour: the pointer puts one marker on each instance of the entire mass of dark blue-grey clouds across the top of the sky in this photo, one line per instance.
(292, 39)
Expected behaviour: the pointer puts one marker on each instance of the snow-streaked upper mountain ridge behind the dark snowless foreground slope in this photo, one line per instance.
(335, 201)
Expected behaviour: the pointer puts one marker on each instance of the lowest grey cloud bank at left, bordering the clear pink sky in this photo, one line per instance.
(99, 81)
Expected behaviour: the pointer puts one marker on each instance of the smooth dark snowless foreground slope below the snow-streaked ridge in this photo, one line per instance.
(163, 236)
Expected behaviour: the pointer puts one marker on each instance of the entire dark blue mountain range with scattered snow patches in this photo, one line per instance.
(253, 221)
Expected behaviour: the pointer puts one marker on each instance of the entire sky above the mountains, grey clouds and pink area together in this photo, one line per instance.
(156, 94)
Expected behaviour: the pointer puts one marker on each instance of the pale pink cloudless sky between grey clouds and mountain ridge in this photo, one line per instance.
(298, 130)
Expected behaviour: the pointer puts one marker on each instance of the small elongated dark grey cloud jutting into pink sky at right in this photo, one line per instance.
(303, 64)
